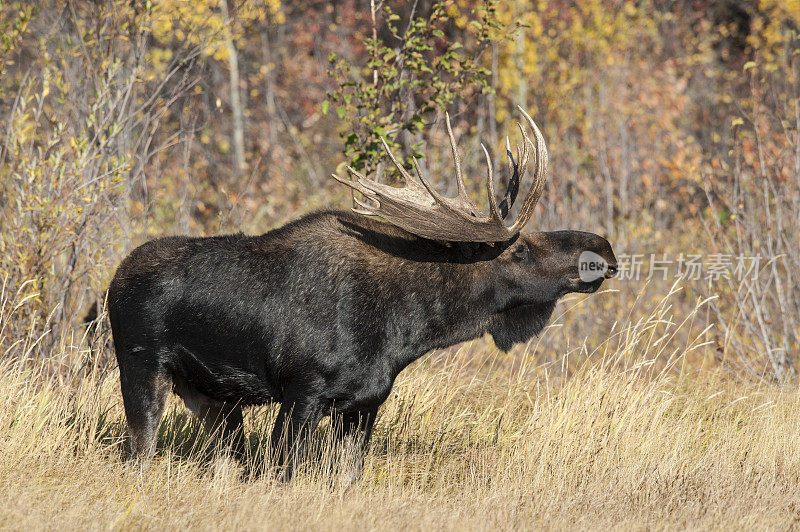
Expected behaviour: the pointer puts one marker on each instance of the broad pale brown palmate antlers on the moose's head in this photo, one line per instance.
(419, 209)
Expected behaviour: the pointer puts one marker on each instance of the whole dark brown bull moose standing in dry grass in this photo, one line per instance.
(322, 314)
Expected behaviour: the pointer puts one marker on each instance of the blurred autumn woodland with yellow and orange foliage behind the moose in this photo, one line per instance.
(672, 128)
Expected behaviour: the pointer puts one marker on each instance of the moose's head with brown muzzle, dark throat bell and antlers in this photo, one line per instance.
(529, 272)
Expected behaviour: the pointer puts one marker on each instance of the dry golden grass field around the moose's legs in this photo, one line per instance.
(469, 439)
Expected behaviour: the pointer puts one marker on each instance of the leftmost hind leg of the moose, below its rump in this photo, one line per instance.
(144, 392)
